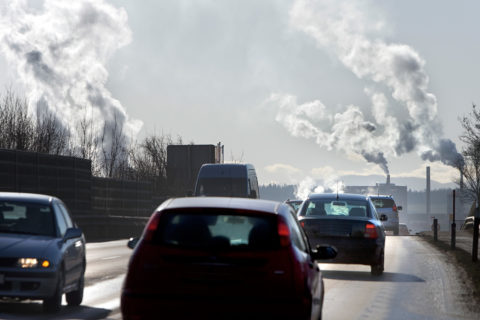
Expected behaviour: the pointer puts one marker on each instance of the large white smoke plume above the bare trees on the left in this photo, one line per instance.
(59, 51)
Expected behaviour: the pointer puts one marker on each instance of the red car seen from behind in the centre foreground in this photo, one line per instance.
(223, 258)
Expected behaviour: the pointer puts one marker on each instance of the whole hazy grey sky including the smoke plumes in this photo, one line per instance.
(301, 89)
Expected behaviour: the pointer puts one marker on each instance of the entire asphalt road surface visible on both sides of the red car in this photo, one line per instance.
(418, 283)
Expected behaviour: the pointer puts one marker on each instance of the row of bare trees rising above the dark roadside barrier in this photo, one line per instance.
(107, 147)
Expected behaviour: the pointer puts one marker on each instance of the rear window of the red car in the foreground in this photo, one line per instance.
(217, 231)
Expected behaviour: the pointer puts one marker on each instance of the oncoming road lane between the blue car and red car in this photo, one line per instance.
(106, 266)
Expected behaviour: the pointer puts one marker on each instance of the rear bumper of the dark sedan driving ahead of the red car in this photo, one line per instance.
(352, 250)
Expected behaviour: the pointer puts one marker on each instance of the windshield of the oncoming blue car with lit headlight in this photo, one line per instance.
(26, 218)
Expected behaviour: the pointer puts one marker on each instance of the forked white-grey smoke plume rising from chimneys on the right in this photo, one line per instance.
(349, 31)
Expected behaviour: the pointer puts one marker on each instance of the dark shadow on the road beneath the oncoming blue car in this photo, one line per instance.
(34, 310)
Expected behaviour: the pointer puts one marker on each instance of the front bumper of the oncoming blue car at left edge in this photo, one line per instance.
(27, 284)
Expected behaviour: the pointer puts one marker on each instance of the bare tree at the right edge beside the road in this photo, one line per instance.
(470, 169)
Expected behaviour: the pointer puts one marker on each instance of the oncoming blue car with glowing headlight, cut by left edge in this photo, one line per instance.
(42, 252)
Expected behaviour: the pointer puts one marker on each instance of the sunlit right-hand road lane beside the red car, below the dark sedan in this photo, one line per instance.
(418, 283)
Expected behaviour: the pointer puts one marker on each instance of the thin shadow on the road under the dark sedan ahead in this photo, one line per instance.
(366, 276)
